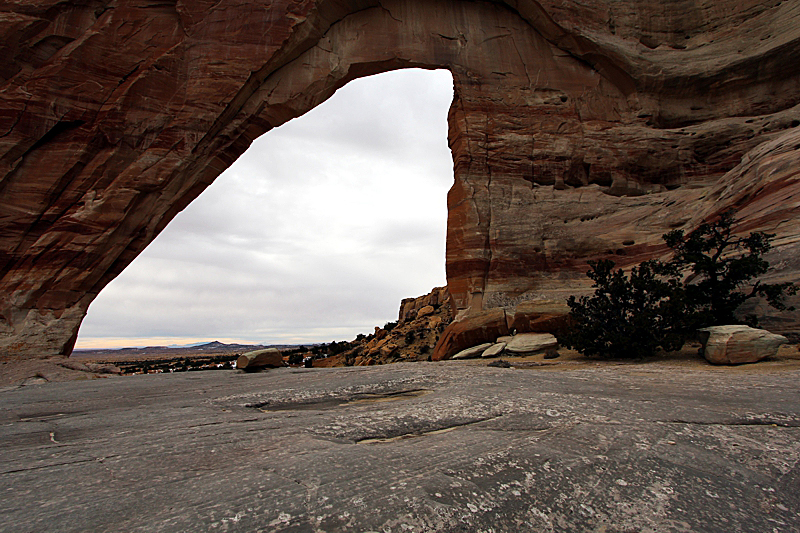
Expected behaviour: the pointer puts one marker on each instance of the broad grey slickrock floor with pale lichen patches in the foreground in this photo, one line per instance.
(445, 447)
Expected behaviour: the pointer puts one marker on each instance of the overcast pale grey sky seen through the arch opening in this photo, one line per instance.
(315, 234)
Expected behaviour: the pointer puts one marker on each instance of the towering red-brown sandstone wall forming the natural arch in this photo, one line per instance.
(579, 130)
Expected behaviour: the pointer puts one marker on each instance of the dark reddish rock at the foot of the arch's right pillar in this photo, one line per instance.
(478, 328)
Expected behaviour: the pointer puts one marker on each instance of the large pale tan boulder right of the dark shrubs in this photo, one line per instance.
(733, 345)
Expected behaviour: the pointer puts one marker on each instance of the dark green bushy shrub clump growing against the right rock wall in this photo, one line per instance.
(661, 304)
